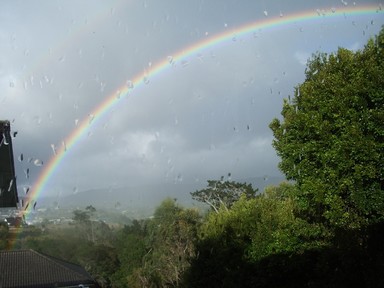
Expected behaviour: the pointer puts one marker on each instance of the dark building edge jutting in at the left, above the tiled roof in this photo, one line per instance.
(8, 187)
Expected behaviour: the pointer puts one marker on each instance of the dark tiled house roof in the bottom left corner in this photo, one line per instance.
(30, 269)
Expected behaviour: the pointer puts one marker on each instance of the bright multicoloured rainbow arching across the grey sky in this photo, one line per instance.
(166, 63)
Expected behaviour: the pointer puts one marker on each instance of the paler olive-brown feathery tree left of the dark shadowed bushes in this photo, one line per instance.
(170, 237)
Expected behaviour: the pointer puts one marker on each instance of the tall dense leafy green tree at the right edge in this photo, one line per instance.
(331, 137)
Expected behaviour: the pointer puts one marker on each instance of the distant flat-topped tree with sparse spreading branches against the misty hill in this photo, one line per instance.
(223, 193)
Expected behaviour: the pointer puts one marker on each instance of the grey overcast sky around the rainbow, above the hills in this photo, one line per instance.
(204, 117)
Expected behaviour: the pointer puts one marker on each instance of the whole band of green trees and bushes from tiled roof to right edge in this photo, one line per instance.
(323, 228)
